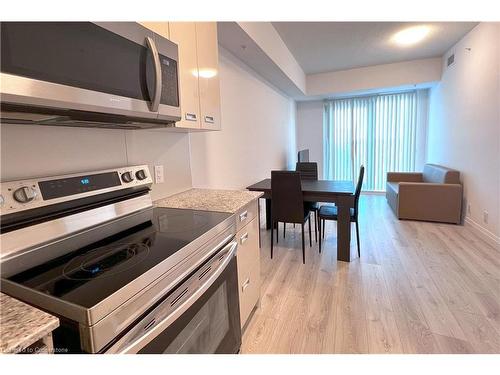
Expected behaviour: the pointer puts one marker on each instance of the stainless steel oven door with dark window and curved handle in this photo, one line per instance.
(201, 316)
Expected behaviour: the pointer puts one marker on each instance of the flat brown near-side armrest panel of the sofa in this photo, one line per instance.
(430, 201)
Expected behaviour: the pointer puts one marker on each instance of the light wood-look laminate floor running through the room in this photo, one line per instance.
(417, 288)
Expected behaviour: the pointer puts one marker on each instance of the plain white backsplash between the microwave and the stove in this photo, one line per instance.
(29, 151)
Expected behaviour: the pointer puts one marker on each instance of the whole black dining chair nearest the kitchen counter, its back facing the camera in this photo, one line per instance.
(287, 205)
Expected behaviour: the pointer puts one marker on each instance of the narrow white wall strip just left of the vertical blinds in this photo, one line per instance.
(310, 131)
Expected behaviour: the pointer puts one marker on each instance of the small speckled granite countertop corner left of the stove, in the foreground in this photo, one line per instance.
(21, 325)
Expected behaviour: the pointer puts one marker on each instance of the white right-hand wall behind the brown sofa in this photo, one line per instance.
(464, 122)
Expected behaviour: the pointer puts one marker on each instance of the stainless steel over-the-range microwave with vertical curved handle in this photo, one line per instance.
(93, 74)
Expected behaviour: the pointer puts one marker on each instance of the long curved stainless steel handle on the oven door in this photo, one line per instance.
(126, 346)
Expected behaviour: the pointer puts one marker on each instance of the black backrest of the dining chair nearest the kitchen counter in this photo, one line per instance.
(287, 201)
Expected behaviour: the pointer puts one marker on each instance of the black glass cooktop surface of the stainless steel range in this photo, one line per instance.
(88, 275)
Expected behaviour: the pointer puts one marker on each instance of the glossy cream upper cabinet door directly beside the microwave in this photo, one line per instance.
(184, 34)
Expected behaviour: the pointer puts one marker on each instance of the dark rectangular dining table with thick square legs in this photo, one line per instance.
(339, 192)
